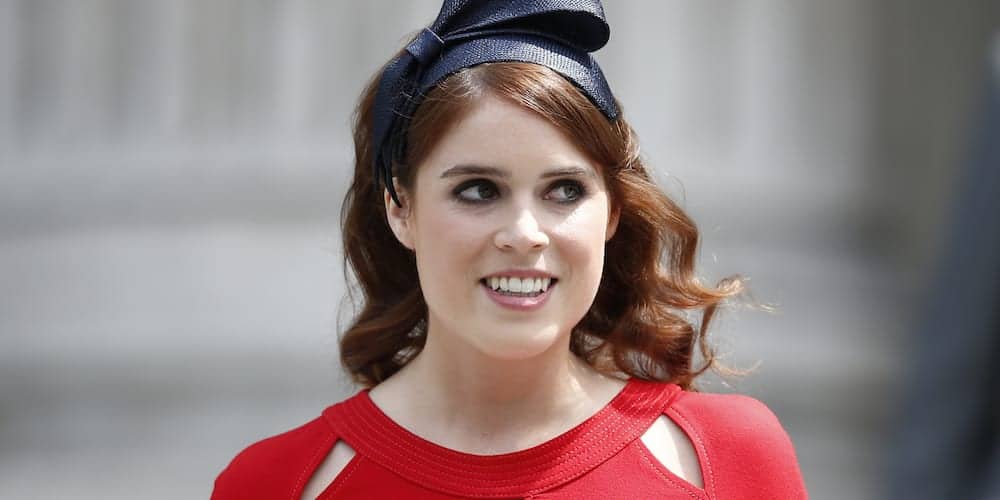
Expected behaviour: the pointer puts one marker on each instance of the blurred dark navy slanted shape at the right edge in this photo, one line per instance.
(948, 440)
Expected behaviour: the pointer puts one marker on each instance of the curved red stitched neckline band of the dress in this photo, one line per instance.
(625, 418)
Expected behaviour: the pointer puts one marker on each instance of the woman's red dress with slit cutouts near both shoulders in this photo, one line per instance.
(743, 451)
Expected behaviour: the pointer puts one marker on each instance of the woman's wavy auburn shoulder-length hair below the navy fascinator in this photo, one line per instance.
(637, 325)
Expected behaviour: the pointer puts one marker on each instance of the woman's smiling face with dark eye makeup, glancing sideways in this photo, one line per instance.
(506, 195)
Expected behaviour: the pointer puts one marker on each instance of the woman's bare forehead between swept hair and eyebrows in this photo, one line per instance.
(499, 133)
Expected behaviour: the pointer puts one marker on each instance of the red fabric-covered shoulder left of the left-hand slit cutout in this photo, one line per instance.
(272, 467)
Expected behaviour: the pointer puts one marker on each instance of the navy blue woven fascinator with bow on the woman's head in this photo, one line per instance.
(559, 34)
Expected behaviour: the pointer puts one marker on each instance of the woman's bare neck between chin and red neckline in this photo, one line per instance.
(461, 399)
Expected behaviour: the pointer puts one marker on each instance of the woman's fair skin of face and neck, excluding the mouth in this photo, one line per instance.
(491, 380)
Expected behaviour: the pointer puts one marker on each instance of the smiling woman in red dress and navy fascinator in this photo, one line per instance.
(523, 287)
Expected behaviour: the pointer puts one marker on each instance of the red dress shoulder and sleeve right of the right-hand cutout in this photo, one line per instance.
(745, 451)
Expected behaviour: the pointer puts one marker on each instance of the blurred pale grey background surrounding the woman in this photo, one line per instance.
(171, 174)
